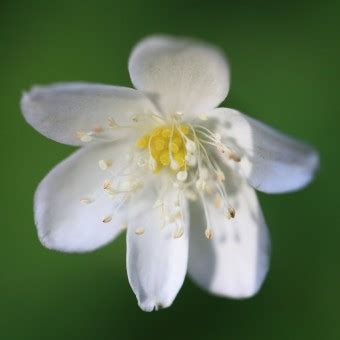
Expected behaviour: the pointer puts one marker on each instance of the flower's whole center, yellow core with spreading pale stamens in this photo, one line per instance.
(188, 152)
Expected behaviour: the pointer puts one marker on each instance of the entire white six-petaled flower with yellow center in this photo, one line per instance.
(146, 154)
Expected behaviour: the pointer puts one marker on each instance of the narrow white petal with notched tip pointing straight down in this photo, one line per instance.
(156, 261)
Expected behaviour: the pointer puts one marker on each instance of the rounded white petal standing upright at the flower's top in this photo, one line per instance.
(180, 74)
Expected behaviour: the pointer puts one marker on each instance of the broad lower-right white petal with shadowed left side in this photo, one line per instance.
(235, 261)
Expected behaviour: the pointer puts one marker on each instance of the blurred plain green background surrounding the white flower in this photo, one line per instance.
(285, 59)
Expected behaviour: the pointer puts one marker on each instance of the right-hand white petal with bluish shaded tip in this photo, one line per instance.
(271, 161)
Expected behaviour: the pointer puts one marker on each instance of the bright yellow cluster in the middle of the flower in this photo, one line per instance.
(166, 146)
